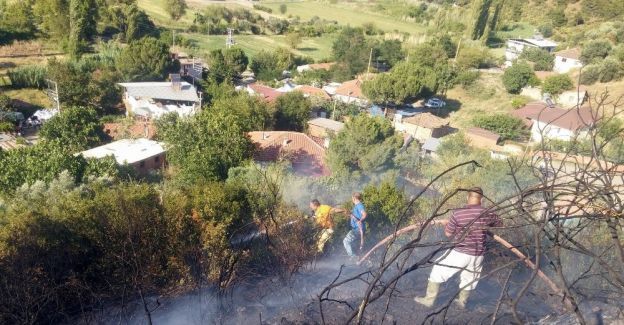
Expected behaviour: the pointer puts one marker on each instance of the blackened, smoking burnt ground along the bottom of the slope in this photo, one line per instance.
(275, 300)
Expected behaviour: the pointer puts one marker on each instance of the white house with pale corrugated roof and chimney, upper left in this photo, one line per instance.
(154, 99)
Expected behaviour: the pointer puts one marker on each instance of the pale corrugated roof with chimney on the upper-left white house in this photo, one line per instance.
(162, 91)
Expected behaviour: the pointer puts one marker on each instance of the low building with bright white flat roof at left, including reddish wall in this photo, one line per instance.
(143, 155)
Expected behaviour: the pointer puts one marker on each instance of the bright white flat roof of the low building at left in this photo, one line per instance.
(126, 151)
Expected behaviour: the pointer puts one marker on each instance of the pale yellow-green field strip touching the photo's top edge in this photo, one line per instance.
(354, 14)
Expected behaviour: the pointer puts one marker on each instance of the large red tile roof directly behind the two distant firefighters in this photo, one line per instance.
(306, 156)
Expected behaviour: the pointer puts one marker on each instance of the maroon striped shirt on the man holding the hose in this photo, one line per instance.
(469, 226)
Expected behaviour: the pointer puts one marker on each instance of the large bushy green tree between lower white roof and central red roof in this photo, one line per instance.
(205, 146)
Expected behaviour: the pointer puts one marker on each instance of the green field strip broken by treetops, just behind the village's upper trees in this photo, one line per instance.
(317, 48)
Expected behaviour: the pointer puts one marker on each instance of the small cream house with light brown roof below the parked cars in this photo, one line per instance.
(422, 126)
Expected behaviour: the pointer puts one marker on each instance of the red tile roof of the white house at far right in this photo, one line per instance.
(572, 119)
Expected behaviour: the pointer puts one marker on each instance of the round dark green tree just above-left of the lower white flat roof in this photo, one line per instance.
(78, 128)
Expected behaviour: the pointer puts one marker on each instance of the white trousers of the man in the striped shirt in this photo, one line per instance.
(452, 262)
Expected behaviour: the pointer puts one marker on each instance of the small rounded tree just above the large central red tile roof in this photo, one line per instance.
(292, 111)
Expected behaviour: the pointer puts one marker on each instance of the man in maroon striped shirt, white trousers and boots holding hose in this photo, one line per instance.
(467, 228)
